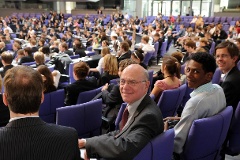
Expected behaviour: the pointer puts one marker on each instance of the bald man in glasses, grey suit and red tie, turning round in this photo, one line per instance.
(143, 122)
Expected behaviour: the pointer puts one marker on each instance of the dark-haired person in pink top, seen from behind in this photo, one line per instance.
(171, 71)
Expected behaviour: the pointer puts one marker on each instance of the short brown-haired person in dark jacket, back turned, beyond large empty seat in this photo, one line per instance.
(80, 72)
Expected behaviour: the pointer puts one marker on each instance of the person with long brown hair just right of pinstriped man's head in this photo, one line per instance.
(47, 79)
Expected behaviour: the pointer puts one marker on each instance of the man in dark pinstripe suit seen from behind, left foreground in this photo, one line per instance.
(26, 136)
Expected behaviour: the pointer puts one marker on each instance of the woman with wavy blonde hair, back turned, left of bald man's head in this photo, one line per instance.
(110, 69)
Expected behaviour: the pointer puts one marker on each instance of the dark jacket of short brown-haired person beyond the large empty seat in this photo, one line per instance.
(72, 90)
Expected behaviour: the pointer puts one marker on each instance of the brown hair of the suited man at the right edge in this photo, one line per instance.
(231, 48)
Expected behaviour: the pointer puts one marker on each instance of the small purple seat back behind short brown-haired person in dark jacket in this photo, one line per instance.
(87, 96)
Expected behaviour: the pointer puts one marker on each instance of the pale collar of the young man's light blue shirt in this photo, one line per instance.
(204, 88)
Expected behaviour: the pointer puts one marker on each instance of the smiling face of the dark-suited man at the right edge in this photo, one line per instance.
(224, 60)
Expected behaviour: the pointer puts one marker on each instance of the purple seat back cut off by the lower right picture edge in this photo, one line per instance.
(233, 147)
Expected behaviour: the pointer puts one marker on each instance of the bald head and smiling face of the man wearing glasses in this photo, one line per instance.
(136, 83)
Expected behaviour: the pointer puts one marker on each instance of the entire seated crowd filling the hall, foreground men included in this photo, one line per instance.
(53, 41)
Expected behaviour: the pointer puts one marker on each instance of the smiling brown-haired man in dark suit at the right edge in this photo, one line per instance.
(227, 55)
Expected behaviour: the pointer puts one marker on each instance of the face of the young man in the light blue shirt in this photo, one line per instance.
(196, 76)
